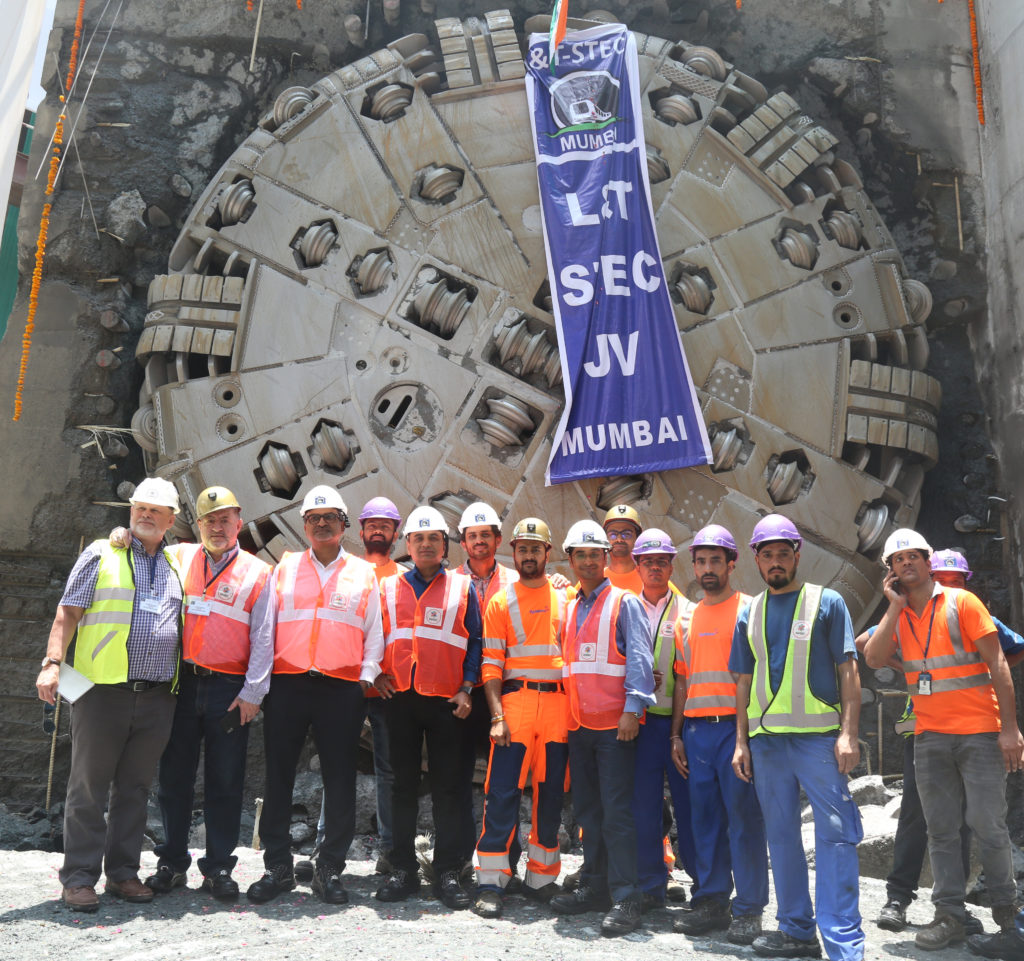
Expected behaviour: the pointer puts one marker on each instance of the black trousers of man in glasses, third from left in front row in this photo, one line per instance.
(333, 709)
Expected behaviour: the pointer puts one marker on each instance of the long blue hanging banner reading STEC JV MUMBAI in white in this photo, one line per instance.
(630, 403)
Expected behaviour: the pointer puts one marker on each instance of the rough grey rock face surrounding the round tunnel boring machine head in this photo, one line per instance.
(173, 98)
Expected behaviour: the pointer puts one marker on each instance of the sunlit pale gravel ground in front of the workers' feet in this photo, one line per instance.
(189, 925)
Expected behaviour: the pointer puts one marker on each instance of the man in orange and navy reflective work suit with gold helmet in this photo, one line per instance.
(523, 676)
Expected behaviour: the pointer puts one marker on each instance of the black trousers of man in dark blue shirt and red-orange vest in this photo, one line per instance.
(411, 719)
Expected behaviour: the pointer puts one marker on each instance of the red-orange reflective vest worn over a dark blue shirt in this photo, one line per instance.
(426, 634)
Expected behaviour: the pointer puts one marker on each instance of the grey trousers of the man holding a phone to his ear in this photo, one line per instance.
(953, 770)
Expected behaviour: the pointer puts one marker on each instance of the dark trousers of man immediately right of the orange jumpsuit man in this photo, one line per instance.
(603, 771)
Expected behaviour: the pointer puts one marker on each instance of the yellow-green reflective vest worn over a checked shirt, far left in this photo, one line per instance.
(102, 645)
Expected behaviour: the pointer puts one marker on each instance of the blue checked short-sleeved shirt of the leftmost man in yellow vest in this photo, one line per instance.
(154, 640)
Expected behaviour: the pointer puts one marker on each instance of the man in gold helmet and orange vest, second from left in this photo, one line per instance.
(228, 653)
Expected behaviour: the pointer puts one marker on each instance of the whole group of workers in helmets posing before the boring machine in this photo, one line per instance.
(614, 685)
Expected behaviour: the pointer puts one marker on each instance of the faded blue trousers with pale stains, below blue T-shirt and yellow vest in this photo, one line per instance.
(784, 765)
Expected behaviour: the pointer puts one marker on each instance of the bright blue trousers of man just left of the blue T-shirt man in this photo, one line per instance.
(727, 821)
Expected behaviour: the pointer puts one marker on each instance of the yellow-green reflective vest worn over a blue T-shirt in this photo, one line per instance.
(794, 708)
